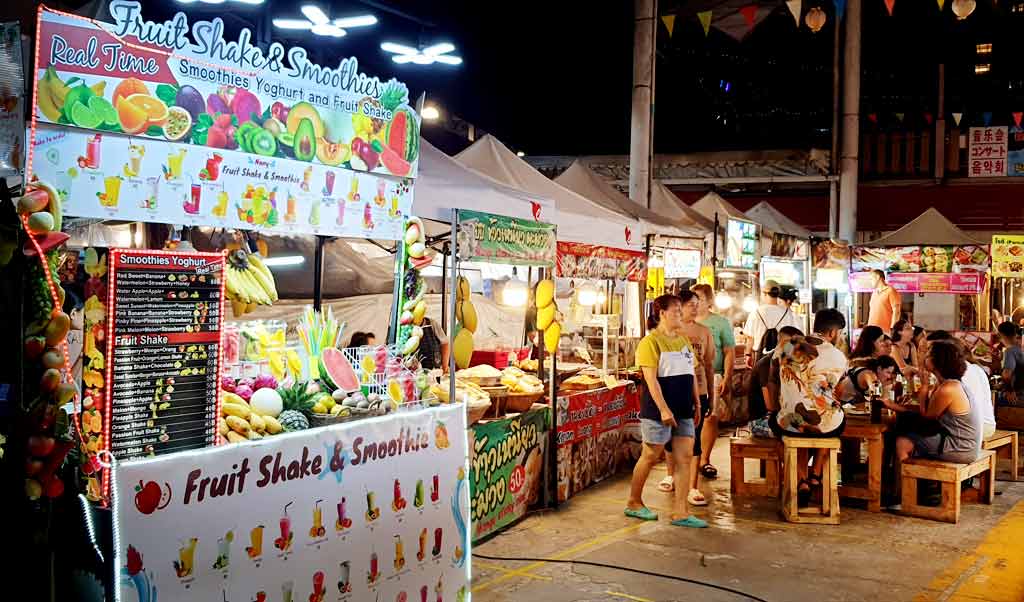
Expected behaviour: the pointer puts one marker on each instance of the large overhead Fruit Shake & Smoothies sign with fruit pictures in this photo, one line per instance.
(174, 122)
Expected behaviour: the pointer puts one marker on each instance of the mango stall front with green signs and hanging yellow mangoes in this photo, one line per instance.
(503, 492)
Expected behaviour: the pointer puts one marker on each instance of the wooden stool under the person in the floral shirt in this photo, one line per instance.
(829, 513)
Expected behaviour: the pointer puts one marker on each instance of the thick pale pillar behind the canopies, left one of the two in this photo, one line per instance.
(644, 97)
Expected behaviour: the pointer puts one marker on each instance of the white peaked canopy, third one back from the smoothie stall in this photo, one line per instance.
(582, 181)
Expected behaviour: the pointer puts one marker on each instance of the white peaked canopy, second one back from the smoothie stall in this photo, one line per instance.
(579, 220)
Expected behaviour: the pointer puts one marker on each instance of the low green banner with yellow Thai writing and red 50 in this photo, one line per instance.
(506, 469)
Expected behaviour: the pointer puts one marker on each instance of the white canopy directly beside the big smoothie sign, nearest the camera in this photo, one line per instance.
(445, 184)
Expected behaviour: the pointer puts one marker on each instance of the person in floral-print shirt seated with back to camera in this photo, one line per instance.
(810, 369)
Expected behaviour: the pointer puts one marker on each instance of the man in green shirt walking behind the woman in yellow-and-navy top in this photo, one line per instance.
(721, 330)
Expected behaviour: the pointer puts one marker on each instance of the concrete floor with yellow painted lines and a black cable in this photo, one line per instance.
(750, 549)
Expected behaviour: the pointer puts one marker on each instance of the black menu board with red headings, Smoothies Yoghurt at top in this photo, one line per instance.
(164, 312)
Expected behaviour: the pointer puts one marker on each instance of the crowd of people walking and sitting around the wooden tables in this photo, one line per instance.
(801, 385)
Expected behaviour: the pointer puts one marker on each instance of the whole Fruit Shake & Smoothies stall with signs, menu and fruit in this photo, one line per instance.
(295, 154)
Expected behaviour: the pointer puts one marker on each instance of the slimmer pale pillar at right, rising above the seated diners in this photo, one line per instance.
(851, 125)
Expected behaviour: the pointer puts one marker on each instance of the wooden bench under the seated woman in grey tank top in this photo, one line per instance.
(951, 476)
